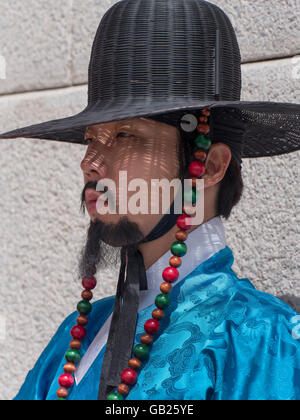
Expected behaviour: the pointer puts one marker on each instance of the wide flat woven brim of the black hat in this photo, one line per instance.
(272, 128)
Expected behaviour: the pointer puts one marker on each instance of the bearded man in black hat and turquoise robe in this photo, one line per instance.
(203, 333)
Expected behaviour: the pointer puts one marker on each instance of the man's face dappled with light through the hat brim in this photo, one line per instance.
(144, 149)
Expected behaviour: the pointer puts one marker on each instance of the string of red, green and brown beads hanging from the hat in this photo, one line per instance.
(170, 274)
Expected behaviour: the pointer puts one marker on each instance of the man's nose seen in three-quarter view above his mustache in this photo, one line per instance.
(93, 166)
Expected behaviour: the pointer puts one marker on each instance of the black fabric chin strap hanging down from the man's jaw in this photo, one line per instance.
(123, 325)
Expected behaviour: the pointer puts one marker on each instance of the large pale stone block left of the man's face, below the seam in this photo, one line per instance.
(41, 231)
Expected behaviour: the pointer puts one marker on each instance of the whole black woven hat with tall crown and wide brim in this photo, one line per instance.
(160, 57)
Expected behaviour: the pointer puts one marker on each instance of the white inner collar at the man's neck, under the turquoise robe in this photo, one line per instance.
(202, 243)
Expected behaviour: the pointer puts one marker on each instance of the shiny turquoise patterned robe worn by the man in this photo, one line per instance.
(221, 339)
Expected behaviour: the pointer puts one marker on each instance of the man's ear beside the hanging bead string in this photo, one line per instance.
(216, 164)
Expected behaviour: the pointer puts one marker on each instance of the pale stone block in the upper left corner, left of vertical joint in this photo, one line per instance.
(35, 40)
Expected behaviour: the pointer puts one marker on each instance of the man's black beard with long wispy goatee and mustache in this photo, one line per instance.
(103, 242)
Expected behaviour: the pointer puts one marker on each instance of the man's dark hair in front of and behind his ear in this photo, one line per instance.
(231, 186)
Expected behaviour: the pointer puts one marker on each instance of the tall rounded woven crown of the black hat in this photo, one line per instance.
(160, 50)
